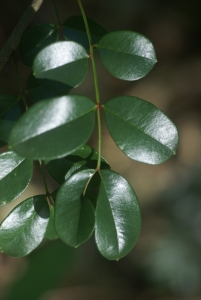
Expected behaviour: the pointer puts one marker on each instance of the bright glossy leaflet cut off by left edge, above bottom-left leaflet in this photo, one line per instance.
(15, 175)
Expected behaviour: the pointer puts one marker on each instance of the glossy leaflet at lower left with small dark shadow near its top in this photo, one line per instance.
(24, 228)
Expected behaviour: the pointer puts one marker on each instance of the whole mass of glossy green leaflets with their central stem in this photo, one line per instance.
(56, 128)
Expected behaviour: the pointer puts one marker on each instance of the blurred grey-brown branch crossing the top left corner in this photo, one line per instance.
(21, 26)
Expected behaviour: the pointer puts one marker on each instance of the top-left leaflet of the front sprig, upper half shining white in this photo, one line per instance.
(61, 66)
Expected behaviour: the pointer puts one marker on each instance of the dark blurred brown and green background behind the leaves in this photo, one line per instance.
(166, 262)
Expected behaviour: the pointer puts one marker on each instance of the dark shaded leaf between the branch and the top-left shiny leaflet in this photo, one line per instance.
(35, 39)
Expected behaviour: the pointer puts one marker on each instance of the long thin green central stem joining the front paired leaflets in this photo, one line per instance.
(99, 106)
